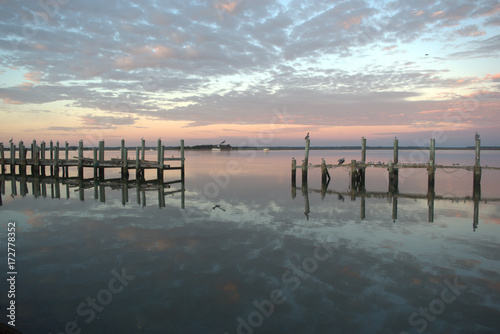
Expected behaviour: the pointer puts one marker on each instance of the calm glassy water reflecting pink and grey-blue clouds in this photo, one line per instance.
(249, 254)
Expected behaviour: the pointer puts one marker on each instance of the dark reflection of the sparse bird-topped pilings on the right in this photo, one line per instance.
(358, 190)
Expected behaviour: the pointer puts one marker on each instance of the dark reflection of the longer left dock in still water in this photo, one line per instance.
(56, 188)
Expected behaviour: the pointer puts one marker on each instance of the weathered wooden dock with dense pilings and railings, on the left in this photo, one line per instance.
(39, 158)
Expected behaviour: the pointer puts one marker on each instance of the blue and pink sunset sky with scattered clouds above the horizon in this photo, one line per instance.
(251, 72)
